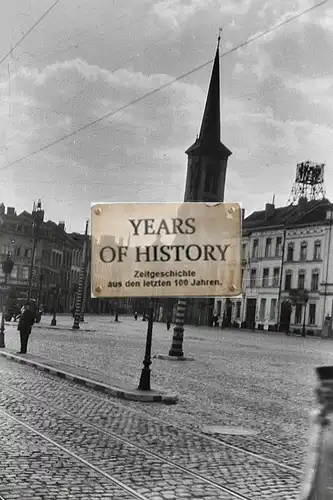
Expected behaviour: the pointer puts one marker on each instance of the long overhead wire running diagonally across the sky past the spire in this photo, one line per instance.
(168, 84)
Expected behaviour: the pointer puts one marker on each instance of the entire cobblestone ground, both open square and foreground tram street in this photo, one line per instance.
(261, 382)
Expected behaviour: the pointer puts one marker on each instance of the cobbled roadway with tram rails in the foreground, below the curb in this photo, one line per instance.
(157, 460)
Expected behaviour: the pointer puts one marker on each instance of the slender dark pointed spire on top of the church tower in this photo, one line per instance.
(210, 132)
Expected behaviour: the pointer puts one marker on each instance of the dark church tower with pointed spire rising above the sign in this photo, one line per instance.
(208, 156)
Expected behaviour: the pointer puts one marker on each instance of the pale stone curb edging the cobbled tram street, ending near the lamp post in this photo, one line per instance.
(134, 395)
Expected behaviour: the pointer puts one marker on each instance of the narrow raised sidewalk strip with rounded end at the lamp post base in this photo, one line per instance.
(91, 378)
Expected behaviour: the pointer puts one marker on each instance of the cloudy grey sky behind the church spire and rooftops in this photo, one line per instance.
(90, 57)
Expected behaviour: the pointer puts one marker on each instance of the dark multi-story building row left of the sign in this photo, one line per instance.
(53, 260)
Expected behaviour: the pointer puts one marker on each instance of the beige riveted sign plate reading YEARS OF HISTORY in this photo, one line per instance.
(165, 250)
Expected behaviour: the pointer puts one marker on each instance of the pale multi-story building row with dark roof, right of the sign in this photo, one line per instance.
(285, 250)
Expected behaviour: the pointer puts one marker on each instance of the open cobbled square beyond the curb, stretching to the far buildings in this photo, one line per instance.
(260, 381)
